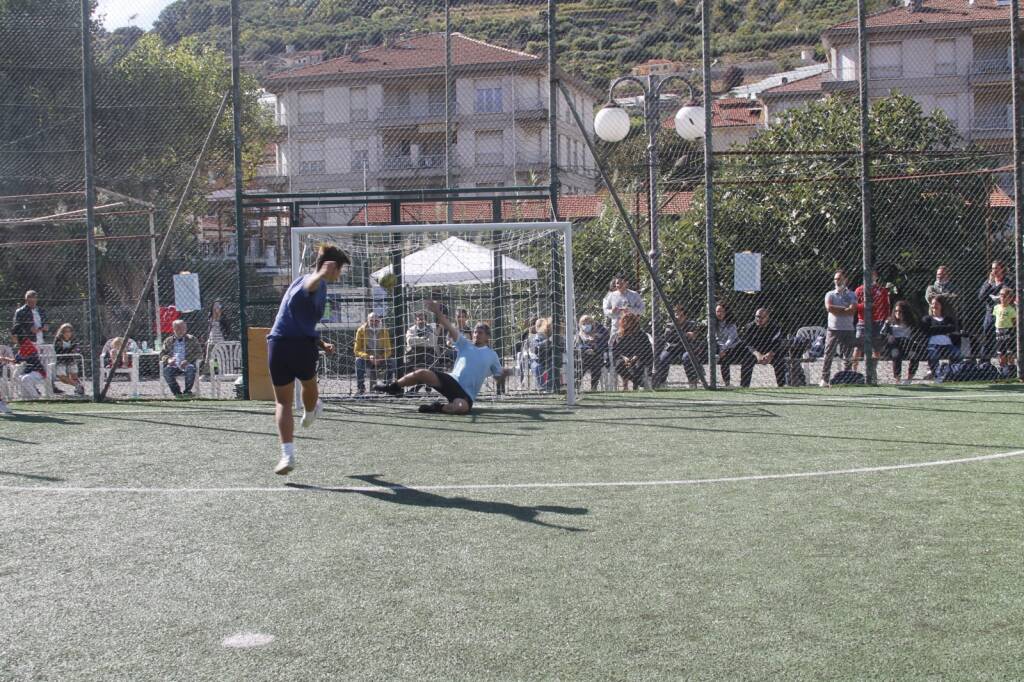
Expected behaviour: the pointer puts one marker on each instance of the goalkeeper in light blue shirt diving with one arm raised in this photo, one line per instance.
(477, 361)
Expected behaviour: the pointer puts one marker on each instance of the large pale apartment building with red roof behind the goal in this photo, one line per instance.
(376, 120)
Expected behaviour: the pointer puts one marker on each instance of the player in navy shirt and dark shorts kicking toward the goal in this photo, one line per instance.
(294, 346)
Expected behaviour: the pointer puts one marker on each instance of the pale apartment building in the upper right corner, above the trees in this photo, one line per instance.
(948, 55)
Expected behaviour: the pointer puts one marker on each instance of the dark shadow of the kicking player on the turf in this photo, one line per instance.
(398, 494)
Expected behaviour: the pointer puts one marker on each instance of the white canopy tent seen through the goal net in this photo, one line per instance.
(456, 262)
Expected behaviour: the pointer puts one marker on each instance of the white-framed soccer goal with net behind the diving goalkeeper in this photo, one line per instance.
(515, 277)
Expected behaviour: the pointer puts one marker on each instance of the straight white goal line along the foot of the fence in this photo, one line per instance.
(638, 403)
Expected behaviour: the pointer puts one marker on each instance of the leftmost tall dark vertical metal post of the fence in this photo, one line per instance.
(91, 194)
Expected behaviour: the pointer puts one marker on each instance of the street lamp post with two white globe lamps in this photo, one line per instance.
(613, 125)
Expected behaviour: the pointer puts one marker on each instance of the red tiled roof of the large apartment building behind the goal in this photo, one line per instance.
(426, 52)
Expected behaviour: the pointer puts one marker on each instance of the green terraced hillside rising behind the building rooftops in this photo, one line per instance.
(598, 38)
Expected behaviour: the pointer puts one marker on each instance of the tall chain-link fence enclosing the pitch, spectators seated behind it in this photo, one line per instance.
(375, 113)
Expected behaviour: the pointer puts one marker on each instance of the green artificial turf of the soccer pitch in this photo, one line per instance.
(908, 574)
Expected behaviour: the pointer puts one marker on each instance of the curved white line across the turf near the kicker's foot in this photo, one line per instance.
(510, 487)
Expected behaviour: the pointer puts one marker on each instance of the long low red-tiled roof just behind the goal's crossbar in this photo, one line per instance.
(571, 207)
